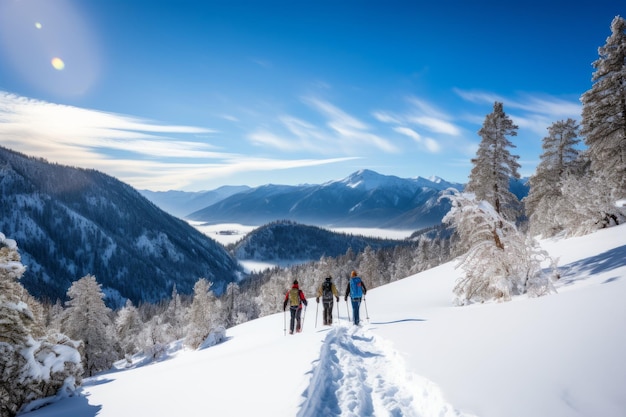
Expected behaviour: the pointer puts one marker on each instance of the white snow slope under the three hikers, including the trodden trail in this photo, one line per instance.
(416, 354)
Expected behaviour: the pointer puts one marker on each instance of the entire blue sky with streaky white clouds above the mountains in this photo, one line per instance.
(192, 95)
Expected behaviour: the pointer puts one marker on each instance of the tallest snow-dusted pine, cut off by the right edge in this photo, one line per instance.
(604, 115)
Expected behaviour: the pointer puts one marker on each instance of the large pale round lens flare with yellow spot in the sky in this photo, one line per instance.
(49, 45)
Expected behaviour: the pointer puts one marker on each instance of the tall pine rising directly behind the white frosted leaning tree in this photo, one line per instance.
(494, 164)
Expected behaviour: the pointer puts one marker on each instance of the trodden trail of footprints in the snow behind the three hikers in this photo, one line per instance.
(360, 375)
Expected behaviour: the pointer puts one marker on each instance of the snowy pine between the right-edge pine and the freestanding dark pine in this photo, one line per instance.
(559, 158)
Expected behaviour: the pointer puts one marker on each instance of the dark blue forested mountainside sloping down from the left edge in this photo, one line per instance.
(71, 222)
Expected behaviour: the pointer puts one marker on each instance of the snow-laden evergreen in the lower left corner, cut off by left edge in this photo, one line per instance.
(33, 366)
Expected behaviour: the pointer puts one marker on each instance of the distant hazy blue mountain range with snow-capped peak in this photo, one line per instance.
(364, 199)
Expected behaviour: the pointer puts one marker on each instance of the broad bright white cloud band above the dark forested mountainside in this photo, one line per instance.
(141, 152)
